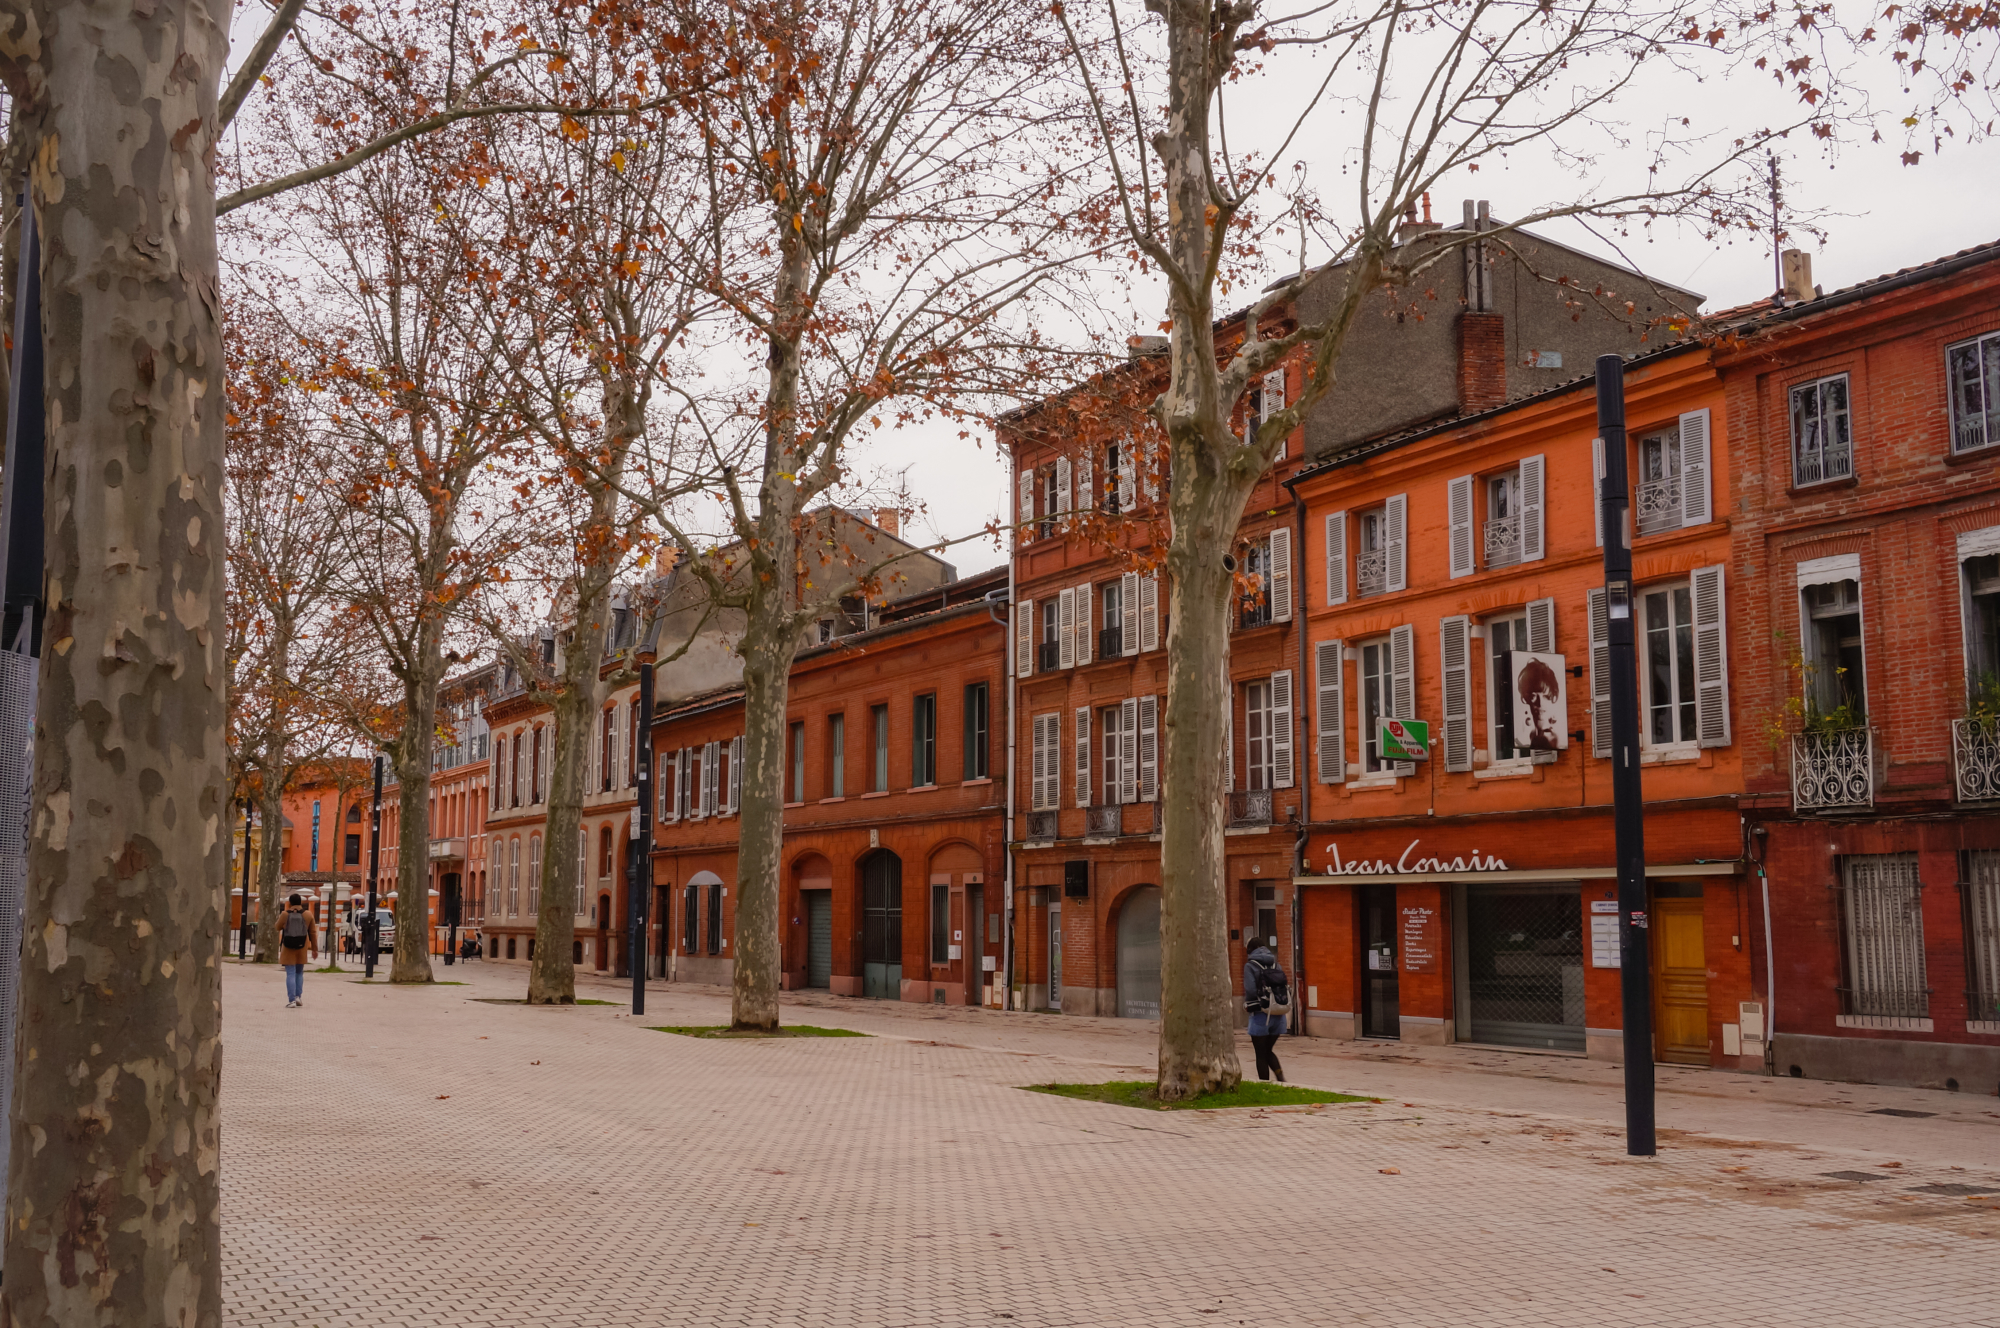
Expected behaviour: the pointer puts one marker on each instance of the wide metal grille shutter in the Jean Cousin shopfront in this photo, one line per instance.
(1523, 969)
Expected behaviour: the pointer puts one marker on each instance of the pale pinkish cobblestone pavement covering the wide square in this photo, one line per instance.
(421, 1157)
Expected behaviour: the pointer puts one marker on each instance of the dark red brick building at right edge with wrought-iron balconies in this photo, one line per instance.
(1867, 471)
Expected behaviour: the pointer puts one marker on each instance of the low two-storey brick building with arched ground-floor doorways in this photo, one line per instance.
(893, 825)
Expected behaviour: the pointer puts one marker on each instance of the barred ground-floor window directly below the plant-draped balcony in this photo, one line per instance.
(1883, 941)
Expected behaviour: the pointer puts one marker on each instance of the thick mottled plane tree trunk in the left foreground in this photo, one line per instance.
(113, 1185)
